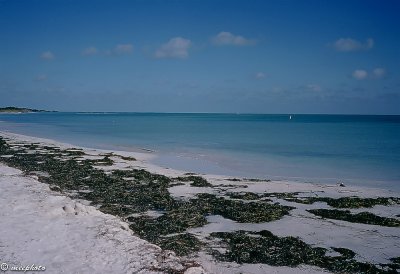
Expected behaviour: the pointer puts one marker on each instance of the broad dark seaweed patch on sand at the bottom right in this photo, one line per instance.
(266, 248)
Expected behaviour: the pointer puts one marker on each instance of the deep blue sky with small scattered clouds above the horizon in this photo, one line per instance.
(314, 56)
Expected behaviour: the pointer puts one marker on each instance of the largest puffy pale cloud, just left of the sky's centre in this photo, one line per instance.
(177, 47)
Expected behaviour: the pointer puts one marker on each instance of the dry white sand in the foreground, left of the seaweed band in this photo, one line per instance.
(67, 236)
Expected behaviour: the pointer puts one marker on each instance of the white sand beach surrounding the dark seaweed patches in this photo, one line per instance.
(46, 228)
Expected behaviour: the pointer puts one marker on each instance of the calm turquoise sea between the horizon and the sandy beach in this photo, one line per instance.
(363, 150)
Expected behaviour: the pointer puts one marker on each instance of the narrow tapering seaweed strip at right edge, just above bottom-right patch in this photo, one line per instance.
(363, 217)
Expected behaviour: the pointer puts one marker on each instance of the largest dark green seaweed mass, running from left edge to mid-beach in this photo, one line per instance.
(135, 191)
